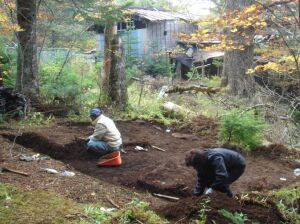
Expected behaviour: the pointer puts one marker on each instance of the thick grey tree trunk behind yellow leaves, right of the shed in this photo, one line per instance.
(237, 62)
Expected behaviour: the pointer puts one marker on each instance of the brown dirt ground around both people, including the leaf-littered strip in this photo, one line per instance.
(148, 172)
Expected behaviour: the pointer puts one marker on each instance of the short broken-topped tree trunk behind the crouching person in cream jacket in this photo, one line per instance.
(117, 83)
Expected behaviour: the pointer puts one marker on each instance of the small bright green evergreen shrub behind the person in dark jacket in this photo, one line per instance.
(243, 129)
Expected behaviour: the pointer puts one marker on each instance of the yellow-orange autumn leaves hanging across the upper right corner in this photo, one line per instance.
(236, 29)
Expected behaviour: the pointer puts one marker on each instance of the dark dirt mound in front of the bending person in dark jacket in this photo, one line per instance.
(189, 208)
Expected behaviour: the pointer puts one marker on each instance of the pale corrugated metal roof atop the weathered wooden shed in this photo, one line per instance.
(157, 15)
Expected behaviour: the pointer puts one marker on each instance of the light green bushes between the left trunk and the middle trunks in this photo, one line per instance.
(72, 87)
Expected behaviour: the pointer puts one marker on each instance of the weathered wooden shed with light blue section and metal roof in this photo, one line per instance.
(148, 32)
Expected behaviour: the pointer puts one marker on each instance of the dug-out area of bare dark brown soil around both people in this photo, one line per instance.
(154, 170)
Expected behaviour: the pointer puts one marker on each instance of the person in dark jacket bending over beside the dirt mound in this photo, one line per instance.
(216, 168)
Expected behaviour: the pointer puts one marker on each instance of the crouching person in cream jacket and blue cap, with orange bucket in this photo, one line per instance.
(106, 140)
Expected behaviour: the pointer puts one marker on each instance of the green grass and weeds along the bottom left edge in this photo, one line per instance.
(36, 206)
